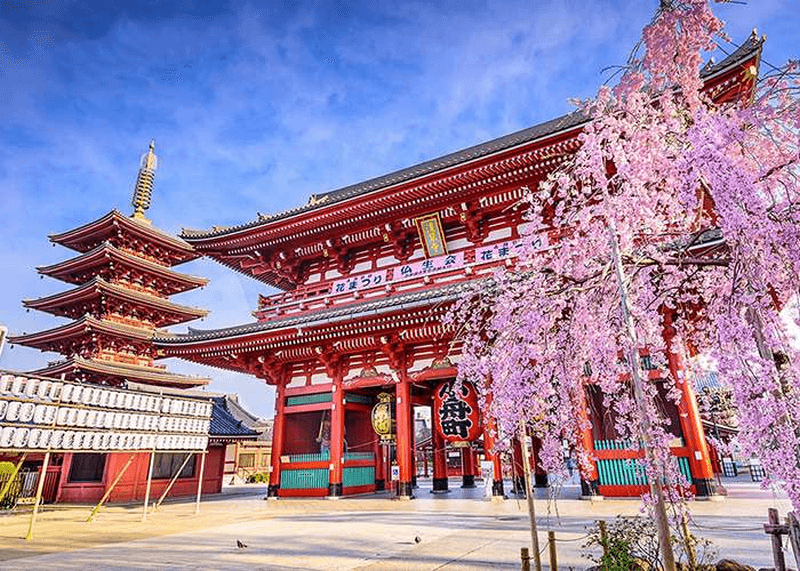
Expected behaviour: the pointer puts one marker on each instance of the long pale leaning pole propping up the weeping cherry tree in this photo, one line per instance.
(656, 487)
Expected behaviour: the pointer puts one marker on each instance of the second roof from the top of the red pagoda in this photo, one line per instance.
(106, 252)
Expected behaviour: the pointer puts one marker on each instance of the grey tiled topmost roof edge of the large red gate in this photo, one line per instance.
(749, 49)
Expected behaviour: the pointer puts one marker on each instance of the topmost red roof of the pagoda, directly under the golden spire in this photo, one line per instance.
(86, 237)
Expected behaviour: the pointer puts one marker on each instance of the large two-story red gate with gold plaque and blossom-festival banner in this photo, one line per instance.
(354, 342)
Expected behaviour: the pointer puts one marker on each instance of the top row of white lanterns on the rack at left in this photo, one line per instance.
(64, 392)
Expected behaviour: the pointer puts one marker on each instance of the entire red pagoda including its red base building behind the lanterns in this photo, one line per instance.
(123, 279)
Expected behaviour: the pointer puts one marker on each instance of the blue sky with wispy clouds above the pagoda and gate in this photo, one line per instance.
(256, 106)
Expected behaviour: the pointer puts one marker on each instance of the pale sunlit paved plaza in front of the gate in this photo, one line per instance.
(457, 531)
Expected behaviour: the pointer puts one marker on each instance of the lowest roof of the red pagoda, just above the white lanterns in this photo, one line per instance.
(100, 370)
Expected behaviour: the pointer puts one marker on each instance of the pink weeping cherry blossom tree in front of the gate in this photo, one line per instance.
(677, 226)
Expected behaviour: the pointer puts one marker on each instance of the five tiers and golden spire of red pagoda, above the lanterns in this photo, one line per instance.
(123, 276)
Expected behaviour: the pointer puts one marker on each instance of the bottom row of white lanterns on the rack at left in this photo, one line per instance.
(17, 437)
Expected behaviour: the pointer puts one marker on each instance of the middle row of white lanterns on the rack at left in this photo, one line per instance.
(51, 415)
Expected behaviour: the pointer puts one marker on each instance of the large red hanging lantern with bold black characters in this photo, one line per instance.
(455, 412)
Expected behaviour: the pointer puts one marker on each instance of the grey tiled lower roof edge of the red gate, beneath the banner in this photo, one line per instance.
(443, 293)
